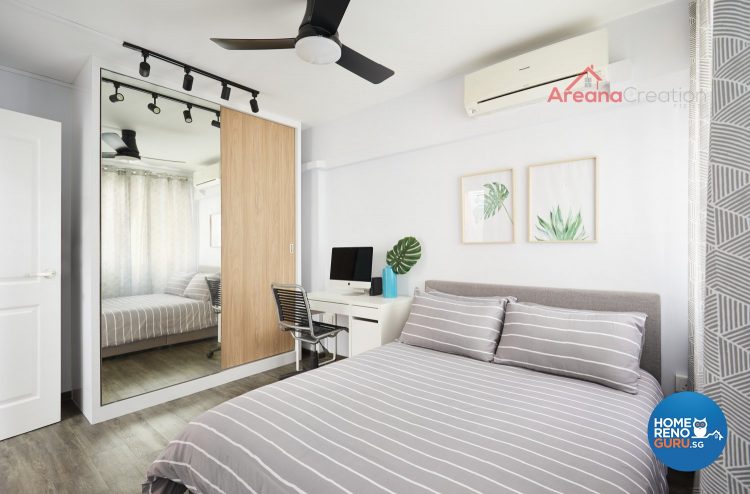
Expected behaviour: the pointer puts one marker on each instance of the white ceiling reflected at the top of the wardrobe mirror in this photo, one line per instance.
(165, 136)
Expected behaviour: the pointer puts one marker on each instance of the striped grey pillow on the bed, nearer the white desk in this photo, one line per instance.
(455, 325)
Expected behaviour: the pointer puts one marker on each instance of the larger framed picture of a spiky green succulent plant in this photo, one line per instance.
(563, 201)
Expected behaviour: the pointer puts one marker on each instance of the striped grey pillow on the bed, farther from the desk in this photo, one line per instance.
(602, 347)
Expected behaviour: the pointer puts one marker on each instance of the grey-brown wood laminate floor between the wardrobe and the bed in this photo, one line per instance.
(74, 456)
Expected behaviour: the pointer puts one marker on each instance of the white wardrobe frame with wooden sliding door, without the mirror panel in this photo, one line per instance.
(260, 231)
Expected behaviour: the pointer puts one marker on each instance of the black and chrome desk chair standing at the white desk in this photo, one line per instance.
(295, 317)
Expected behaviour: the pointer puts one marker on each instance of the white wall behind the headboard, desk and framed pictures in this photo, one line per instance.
(394, 170)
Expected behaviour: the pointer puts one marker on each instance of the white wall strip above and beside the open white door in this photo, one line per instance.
(41, 97)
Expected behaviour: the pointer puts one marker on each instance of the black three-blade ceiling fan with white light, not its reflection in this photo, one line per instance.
(318, 42)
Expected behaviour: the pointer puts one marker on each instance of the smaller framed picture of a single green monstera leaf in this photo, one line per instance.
(487, 211)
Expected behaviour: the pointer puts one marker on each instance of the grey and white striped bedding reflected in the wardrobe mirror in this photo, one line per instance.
(140, 317)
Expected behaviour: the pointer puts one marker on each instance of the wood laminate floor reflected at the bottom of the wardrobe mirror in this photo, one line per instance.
(129, 375)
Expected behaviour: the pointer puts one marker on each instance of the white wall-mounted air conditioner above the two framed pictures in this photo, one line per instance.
(530, 77)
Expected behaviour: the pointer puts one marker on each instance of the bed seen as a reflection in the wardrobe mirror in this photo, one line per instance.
(141, 322)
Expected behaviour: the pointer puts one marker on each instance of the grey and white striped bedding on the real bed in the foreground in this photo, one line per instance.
(403, 419)
